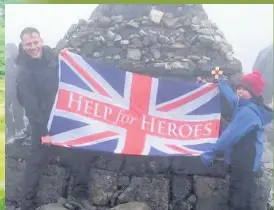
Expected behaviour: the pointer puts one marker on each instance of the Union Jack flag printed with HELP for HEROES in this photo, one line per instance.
(101, 108)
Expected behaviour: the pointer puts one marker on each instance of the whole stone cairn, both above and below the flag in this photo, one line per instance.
(176, 41)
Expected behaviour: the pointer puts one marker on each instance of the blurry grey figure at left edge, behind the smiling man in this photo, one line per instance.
(14, 112)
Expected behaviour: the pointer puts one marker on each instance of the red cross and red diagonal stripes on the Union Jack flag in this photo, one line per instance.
(136, 116)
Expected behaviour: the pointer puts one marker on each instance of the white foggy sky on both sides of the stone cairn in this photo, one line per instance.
(248, 27)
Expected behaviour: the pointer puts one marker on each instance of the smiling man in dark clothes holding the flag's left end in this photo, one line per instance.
(37, 85)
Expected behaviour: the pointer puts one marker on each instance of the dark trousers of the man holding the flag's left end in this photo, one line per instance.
(36, 163)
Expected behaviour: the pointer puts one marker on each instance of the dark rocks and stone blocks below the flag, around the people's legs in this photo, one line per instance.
(161, 183)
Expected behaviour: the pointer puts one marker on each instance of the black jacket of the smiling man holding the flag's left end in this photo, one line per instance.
(37, 85)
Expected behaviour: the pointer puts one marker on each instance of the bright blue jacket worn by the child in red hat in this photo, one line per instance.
(247, 116)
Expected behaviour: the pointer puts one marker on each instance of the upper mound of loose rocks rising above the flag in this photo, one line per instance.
(159, 40)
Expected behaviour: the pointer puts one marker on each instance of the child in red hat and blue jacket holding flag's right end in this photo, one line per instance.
(242, 140)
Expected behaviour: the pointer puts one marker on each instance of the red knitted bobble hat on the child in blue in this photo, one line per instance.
(253, 82)
